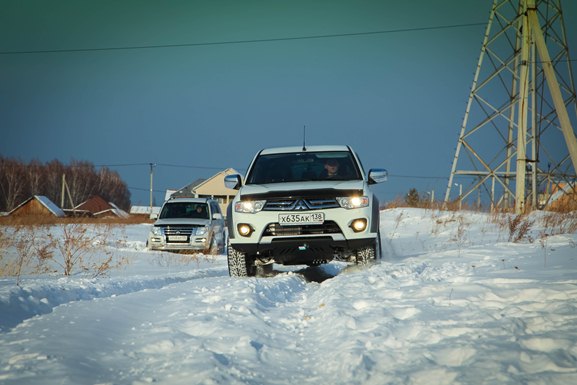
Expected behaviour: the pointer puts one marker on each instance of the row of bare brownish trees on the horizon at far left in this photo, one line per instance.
(19, 181)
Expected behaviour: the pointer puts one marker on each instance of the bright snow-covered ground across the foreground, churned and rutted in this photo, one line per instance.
(453, 302)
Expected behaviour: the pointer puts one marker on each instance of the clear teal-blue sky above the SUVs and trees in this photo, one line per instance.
(220, 81)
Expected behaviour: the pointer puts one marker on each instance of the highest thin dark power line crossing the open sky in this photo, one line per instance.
(248, 41)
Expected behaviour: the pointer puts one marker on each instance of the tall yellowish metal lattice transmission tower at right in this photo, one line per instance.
(517, 141)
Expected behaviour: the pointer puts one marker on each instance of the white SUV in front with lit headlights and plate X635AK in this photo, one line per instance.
(302, 206)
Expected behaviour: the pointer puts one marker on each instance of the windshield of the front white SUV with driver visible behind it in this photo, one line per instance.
(304, 166)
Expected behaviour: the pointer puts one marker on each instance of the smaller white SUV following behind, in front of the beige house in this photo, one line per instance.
(188, 224)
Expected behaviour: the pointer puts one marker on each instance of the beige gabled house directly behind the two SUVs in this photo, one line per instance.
(212, 187)
